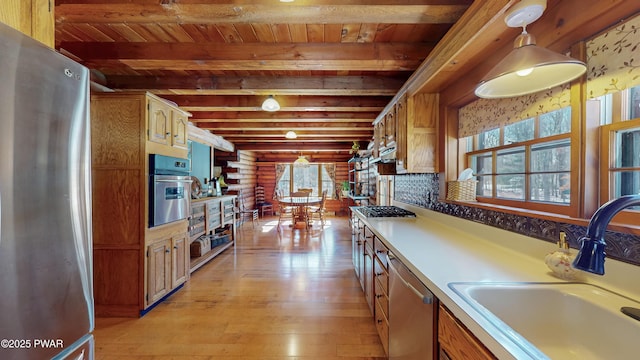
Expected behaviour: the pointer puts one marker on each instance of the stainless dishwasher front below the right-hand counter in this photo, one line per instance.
(412, 312)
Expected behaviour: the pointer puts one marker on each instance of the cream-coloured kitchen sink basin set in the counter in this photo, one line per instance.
(557, 320)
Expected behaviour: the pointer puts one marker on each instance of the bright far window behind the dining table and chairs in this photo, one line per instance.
(318, 177)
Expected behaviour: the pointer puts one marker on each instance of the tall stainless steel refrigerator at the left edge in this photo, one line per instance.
(46, 291)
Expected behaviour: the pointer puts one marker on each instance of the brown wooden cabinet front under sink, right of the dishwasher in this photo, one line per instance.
(456, 341)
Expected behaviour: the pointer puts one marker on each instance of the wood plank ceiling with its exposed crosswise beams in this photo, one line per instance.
(332, 65)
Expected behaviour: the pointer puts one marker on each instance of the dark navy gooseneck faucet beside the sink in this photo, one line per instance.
(591, 255)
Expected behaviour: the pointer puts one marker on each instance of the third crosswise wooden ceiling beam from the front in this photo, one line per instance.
(261, 85)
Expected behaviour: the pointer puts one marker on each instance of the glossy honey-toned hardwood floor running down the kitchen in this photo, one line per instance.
(288, 294)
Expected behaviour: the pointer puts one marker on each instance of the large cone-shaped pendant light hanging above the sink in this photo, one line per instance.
(528, 68)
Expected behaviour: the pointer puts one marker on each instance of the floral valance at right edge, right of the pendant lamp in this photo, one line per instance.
(613, 59)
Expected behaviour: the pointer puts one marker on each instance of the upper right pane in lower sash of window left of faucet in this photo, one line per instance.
(551, 156)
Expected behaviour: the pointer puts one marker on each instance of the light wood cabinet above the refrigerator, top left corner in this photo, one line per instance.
(31, 17)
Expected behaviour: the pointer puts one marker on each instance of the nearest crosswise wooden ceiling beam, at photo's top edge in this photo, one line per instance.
(275, 13)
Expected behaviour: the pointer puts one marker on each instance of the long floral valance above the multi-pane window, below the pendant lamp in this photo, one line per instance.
(487, 114)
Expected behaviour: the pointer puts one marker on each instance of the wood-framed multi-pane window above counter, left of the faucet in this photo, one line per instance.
(525, 162)
